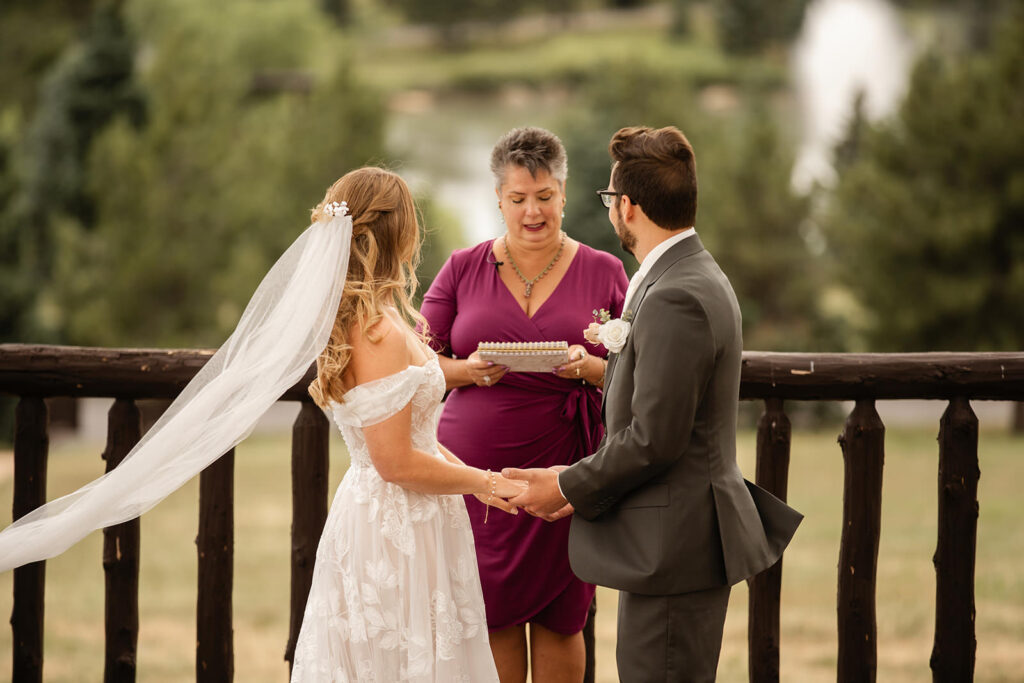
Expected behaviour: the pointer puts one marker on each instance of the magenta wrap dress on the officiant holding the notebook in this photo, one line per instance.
(526, 420)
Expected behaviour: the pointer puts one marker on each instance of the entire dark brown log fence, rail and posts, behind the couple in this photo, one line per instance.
(35, 373)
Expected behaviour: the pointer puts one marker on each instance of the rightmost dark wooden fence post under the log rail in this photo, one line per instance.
(954, 650)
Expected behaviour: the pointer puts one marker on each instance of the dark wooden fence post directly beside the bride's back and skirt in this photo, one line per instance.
(311, 445)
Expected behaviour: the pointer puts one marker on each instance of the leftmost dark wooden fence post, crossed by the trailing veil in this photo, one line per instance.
(31, 449)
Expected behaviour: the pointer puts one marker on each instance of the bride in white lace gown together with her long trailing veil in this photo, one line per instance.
(396, 594)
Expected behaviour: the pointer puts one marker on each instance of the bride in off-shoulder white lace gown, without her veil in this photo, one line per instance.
(396, 593)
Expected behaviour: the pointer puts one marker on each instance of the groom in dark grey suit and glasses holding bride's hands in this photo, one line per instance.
(662, 511)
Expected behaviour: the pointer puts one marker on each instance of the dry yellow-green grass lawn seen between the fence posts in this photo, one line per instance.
(906, 594)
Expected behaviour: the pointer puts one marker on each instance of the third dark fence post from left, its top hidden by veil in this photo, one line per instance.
(215, 649)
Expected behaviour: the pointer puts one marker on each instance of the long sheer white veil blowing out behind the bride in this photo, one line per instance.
(284, 328)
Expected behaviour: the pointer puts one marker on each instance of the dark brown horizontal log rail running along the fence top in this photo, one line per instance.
(78, 371)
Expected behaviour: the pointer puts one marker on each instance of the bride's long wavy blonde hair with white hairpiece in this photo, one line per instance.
(386, 252)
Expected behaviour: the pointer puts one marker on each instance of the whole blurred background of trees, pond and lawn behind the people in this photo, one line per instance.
(862, 167)
